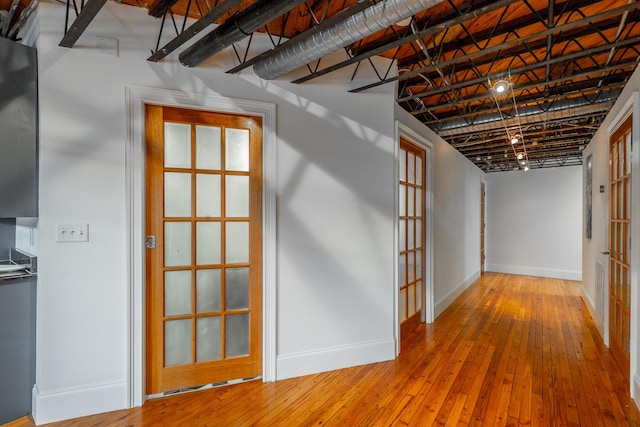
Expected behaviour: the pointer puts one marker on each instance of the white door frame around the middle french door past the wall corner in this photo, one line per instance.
(428, 298)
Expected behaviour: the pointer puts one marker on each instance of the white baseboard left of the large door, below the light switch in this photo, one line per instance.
(63, 405)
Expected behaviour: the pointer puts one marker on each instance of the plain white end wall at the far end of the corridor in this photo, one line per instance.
(534, 222)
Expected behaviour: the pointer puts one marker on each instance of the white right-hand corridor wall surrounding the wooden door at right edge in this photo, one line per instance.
(593, 248)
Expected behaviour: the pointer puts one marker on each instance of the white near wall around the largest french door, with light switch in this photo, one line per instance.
(335, 187)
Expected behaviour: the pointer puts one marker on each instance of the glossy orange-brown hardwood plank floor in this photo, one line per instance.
(511, 351)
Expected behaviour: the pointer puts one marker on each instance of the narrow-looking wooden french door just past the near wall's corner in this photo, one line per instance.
(411, 231)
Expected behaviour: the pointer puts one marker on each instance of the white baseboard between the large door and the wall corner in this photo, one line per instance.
(329, 359)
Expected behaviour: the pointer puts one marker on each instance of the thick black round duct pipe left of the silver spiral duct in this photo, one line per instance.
(234, 29)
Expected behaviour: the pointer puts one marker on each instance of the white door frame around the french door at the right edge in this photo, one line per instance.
(632, 106)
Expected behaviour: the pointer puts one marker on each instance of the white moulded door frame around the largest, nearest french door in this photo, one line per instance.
(136, 99)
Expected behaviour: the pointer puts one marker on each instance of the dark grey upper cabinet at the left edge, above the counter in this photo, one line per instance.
(18, 130)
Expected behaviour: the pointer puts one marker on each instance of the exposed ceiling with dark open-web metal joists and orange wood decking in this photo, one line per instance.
(566, 61)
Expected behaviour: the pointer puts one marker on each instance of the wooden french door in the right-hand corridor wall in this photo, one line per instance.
(620, 245)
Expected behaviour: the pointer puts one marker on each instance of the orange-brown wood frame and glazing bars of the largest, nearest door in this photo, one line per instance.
(161, 378)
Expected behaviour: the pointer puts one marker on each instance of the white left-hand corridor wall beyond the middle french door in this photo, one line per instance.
(456, 199)
